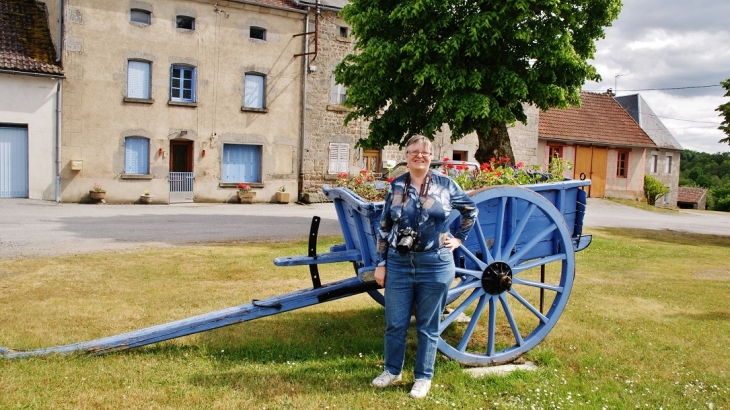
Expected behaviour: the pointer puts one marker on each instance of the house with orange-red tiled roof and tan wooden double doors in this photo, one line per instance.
(603, 142)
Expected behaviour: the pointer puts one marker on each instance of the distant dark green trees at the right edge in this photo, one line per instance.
(709, 171)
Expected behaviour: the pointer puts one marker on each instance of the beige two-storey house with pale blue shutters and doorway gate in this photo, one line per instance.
(183, 98)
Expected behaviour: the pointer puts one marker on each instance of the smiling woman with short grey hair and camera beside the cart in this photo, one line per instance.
(415, 264)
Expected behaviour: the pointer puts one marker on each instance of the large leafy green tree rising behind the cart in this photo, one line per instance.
(470, 64)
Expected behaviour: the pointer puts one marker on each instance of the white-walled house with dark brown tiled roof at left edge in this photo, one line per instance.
(30, 79)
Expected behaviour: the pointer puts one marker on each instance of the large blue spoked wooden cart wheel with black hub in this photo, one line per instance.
(518, 259)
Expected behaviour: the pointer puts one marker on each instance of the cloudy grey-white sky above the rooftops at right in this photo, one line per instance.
(669, 51)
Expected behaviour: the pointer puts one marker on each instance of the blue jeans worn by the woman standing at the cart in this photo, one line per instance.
(421, 279)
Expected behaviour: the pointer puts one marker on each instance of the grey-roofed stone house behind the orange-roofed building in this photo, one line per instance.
(663, 162)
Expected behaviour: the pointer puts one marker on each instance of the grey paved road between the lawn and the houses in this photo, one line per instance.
(41, 228)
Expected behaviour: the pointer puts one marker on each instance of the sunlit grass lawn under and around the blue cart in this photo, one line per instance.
(647, 326)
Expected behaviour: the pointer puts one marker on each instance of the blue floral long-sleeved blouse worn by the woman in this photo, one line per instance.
(429, 220)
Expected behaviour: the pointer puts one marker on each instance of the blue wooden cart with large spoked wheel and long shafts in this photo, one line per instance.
(514, 275)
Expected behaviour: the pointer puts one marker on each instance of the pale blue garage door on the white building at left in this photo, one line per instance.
(13, 162)
